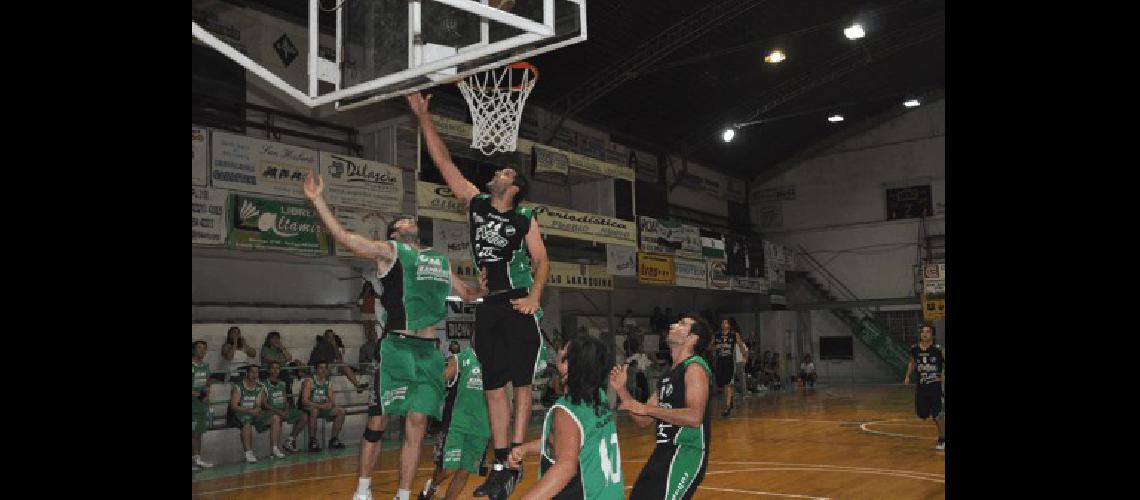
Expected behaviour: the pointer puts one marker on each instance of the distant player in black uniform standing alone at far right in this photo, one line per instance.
(931, 360)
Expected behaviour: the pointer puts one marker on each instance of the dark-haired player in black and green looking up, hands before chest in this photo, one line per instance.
(681, 411)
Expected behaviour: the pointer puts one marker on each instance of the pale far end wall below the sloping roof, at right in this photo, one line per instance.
(840, 211)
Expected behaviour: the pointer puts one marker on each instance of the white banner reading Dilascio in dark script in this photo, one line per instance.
(352, 182)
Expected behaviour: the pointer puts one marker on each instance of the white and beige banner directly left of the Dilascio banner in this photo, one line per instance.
(254, 166)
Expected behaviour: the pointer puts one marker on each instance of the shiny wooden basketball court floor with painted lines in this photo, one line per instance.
(840, 442)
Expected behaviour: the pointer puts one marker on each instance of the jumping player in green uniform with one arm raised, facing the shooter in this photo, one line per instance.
(417, 282)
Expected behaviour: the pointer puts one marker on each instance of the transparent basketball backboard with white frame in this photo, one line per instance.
(389, 48)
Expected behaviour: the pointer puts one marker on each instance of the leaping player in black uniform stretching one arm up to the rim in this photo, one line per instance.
(510, 252)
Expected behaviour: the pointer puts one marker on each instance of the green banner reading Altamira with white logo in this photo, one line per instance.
(260, 224)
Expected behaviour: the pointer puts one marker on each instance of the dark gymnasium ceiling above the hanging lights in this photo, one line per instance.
(687, 97)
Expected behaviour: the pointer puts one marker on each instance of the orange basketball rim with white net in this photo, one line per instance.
(495, 99)
